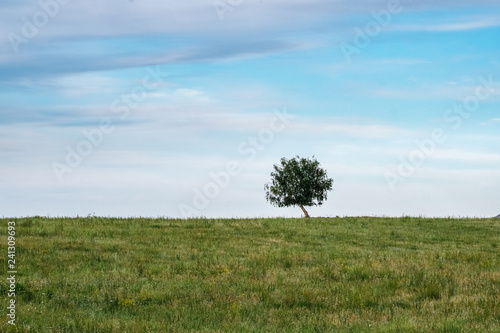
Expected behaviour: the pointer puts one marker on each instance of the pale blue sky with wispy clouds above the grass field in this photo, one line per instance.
(181, 108)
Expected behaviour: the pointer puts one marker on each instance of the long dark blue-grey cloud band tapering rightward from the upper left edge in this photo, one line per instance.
(41, 62)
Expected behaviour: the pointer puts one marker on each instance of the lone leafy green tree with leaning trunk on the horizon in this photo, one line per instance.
(298, 182)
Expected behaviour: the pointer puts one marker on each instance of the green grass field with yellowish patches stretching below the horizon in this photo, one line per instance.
(254, 275)
